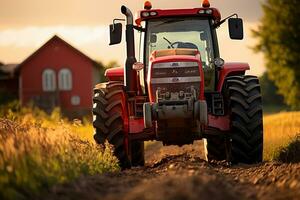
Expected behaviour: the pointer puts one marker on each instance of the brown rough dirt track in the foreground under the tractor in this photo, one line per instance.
(181, 173)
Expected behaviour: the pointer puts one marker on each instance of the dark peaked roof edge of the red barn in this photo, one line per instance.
(55, 37)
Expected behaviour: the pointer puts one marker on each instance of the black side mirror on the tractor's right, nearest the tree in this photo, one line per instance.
(236, 30)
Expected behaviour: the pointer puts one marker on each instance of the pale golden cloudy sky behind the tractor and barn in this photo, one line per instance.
(25, 25)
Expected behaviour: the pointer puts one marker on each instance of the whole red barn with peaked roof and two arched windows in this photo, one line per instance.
(58, 75)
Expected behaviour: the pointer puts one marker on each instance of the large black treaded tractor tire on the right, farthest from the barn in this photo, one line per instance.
(243, 97)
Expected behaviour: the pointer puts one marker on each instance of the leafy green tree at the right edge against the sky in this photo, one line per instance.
(278, 39)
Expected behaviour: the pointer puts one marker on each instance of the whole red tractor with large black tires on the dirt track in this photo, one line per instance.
(180, 90)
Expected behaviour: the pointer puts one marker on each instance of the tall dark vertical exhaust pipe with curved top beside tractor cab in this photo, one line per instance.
(130, 77)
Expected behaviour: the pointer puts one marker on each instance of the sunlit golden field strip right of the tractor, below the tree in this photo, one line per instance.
(280, 129)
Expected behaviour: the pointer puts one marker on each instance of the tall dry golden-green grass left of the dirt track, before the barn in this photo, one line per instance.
(38, 151)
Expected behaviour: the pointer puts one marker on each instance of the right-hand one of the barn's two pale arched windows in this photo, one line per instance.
(65, 79)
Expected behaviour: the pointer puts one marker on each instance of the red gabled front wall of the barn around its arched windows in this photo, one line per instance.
(56, 55)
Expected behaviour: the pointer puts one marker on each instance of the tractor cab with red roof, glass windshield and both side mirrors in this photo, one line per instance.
(179, 29)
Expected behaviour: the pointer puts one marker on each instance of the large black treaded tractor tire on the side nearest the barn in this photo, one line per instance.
(109, 112)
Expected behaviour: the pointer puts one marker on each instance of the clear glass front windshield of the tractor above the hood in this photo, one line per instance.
(188, 32)
